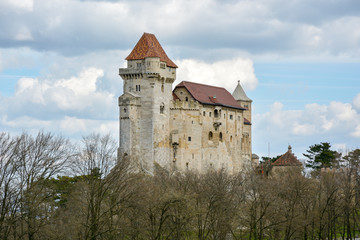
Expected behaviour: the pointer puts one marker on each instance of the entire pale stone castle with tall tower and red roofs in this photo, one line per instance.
(193, 126)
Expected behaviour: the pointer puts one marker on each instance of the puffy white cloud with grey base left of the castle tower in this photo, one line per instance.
(77, 96)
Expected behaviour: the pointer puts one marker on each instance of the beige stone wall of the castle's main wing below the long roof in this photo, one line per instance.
(196, 150)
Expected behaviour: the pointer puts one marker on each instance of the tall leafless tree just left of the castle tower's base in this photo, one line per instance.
(104, 189)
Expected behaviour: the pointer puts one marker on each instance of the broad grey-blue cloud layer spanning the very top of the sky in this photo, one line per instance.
(259, 28)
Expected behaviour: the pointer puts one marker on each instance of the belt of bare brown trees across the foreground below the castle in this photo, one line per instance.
(50, 189)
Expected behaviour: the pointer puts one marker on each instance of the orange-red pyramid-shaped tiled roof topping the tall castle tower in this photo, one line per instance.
(149, 46)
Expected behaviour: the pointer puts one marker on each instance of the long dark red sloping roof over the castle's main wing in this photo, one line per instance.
(211, 95)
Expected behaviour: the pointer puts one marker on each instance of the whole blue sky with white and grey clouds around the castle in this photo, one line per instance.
(298, 60)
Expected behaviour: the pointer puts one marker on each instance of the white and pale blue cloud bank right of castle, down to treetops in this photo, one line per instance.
(336, 122)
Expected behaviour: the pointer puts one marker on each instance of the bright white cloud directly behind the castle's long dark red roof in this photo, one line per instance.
(222, 73)
